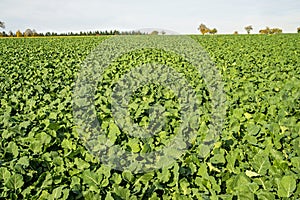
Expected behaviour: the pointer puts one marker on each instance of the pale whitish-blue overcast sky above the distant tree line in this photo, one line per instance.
(180, 16)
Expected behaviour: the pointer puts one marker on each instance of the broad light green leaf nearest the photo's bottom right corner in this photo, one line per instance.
(286, 186)
